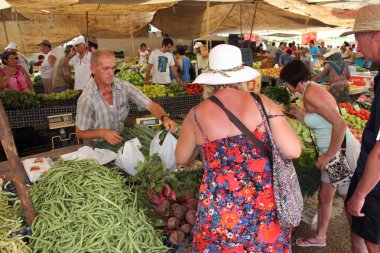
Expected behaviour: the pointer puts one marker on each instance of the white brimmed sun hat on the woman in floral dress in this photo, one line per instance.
(226, 67)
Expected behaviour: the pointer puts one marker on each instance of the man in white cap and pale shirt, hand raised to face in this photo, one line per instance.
(79, 57)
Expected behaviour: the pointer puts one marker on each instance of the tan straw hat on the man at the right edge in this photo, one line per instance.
(367, 20)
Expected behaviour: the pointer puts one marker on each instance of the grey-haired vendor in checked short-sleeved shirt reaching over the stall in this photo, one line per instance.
(103, 105)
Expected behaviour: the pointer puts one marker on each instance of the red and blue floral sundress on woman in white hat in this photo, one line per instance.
(237, 210)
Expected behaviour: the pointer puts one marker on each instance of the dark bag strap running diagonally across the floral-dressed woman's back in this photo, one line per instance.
(241, 126)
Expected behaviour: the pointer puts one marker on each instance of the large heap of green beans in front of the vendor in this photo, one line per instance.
(85, 207)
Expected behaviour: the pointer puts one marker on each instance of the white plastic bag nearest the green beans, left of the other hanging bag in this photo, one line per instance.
(128, 156)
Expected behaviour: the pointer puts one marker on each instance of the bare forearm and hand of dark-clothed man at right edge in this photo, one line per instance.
(371, 175)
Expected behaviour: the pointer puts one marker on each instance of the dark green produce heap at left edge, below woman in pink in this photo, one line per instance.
(19, 99)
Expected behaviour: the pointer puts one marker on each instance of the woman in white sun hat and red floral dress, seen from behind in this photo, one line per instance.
(237, 211)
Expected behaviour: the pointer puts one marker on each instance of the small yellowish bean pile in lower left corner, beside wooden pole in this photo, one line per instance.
(10, 222)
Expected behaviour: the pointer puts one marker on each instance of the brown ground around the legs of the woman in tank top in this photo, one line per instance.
(337, 235)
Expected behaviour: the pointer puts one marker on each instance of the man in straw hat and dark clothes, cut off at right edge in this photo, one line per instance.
(363, 197)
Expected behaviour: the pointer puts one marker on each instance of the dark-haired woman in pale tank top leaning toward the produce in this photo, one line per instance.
(323, 118)
